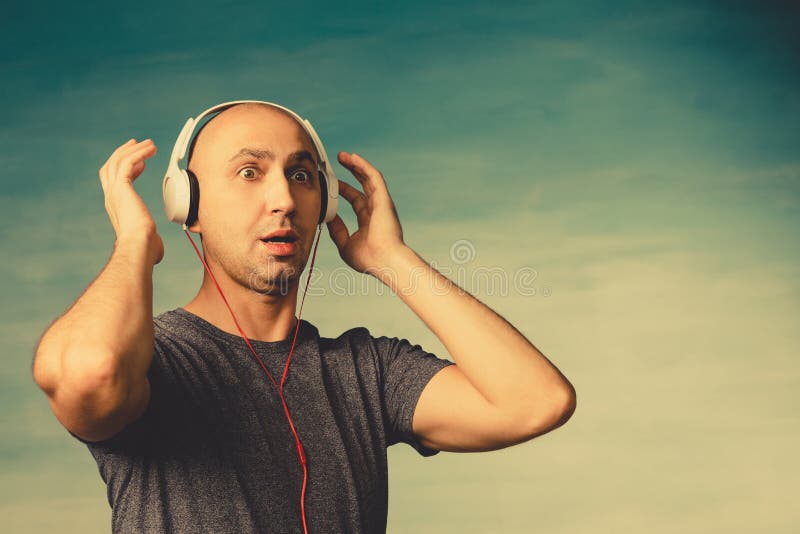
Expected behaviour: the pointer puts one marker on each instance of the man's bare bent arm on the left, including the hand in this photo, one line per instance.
(92, 361)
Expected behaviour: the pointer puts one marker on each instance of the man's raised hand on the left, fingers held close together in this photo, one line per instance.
(128, 213)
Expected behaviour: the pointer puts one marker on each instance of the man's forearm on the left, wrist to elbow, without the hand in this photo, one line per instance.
(106, 336)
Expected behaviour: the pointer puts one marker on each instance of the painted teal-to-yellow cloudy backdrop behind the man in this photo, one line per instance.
(629, 169)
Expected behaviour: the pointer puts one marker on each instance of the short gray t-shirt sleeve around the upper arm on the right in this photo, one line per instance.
(407, 369)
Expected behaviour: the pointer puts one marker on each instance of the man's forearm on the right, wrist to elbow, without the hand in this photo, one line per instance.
(499, 361)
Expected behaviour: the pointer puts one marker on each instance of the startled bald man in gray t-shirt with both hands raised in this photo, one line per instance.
(189, 433)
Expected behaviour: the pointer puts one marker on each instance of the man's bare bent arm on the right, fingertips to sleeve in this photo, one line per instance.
(502, 390)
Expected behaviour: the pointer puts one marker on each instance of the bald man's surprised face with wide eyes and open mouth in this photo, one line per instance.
(257, 172)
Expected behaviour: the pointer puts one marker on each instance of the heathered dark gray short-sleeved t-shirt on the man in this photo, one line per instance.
(214, 452)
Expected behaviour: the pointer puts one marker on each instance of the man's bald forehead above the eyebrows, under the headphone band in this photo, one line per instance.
(257, 127)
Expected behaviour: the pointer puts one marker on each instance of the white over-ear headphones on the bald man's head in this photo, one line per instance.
(182, 192)
